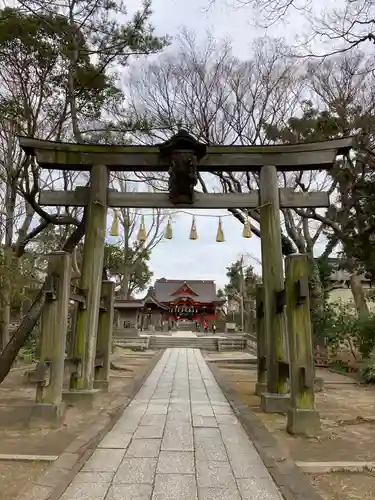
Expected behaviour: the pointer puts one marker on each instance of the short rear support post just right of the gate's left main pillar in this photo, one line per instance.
(104, 337)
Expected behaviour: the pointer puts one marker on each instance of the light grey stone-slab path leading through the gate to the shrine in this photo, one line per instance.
(177, 440)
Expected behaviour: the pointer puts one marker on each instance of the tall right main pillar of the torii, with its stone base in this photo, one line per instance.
(276, 399)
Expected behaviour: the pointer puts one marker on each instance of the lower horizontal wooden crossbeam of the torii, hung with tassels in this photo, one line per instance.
(288, 199)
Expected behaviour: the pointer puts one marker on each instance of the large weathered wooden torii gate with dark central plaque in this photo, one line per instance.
(183, 156)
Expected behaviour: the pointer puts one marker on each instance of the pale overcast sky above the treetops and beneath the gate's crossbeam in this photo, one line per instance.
(204, 258)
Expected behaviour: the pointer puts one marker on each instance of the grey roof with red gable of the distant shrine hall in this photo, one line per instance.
(198, 290)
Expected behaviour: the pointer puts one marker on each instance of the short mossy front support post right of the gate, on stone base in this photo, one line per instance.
(302, 418)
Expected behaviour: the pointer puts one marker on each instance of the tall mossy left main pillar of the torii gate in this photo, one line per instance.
(86, 324)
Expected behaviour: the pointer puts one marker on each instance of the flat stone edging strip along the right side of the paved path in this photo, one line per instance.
(291, 481)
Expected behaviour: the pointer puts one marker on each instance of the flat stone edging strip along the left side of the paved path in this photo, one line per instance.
(51, 484)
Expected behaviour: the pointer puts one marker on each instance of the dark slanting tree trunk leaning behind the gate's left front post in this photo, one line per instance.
(32, 316)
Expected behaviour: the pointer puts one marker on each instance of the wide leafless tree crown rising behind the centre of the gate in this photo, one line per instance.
(217, 98)
